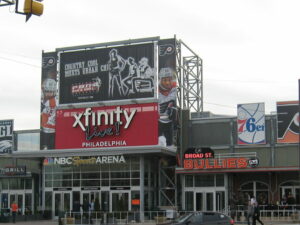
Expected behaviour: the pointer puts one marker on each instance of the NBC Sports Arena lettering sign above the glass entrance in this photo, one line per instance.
(77, 161)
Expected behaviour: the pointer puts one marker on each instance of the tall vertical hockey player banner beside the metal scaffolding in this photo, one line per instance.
(167, 93)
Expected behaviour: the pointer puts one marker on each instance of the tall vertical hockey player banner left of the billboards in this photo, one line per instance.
(48, 100)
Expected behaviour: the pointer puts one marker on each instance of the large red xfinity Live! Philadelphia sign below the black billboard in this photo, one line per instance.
(107, 127)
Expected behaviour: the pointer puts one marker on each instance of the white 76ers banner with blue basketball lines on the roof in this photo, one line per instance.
(251, 124)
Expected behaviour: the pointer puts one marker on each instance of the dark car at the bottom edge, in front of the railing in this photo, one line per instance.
(203, 218)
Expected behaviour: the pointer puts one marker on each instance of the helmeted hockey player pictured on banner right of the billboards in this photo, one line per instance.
(167, 105)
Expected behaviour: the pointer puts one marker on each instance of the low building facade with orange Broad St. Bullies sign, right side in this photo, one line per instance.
(268, 171)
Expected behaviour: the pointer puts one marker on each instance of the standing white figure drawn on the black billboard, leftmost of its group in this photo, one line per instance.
(116, 65)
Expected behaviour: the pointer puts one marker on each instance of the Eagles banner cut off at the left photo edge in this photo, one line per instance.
(6, 136)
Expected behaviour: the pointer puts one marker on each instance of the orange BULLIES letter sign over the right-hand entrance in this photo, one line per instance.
(225, 163)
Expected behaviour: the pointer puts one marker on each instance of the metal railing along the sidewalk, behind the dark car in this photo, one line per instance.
(239, 214)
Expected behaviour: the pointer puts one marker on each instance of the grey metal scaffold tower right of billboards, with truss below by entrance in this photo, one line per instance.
(189, 72)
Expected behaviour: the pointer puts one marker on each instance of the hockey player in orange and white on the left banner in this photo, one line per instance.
(48, 111)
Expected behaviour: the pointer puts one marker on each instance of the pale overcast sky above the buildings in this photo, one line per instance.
(250, 48)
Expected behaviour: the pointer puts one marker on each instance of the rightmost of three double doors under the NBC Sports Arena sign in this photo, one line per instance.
(120, 201)
